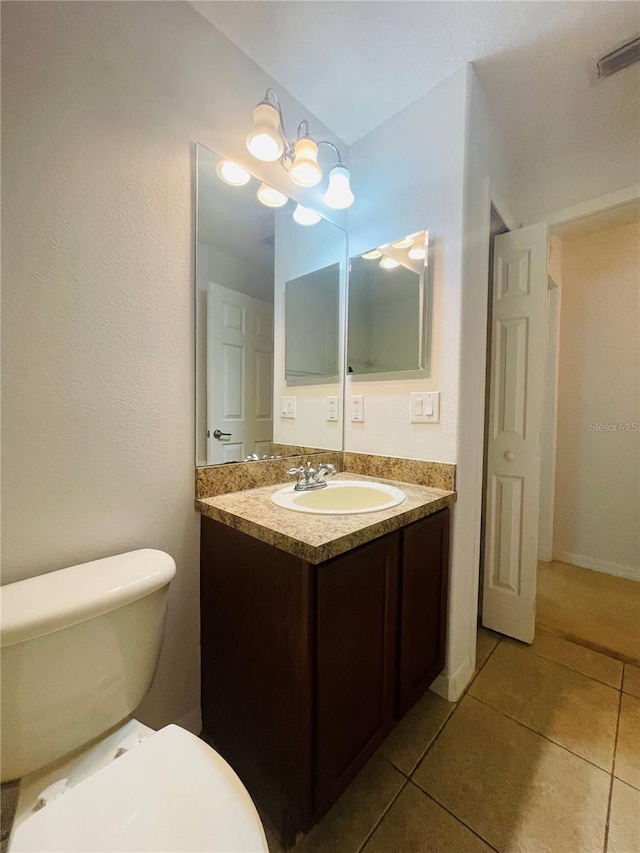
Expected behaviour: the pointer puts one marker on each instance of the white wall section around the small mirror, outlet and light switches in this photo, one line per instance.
(408, 176)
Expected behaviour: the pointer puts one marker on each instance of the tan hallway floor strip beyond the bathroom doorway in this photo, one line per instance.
(598, 610)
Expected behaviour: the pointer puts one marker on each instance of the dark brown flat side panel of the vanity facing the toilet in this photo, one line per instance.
(257, 669)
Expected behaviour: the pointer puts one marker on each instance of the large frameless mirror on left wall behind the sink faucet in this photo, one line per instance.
(261, 390)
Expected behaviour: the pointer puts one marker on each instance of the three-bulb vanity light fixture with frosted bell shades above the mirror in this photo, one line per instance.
(268, 141)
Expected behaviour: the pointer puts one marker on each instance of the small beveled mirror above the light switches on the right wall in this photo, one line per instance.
(389, 310)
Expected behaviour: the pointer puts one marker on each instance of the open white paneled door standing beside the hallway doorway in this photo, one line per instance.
(517, 381)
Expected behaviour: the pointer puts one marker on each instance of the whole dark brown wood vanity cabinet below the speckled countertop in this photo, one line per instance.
(307, 667)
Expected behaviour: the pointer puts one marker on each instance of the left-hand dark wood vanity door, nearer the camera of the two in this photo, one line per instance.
(355, 662)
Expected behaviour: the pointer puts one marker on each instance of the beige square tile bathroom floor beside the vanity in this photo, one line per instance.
(541, 754)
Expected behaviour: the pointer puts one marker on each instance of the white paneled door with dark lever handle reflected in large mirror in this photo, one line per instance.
(239, 375)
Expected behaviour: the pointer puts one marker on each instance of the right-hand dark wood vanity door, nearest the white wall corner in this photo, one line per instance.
(423, 606)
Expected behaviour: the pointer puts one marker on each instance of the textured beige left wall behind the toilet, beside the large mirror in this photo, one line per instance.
(100, 105)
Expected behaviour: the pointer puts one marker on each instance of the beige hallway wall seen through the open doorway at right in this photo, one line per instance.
(597, 506)
